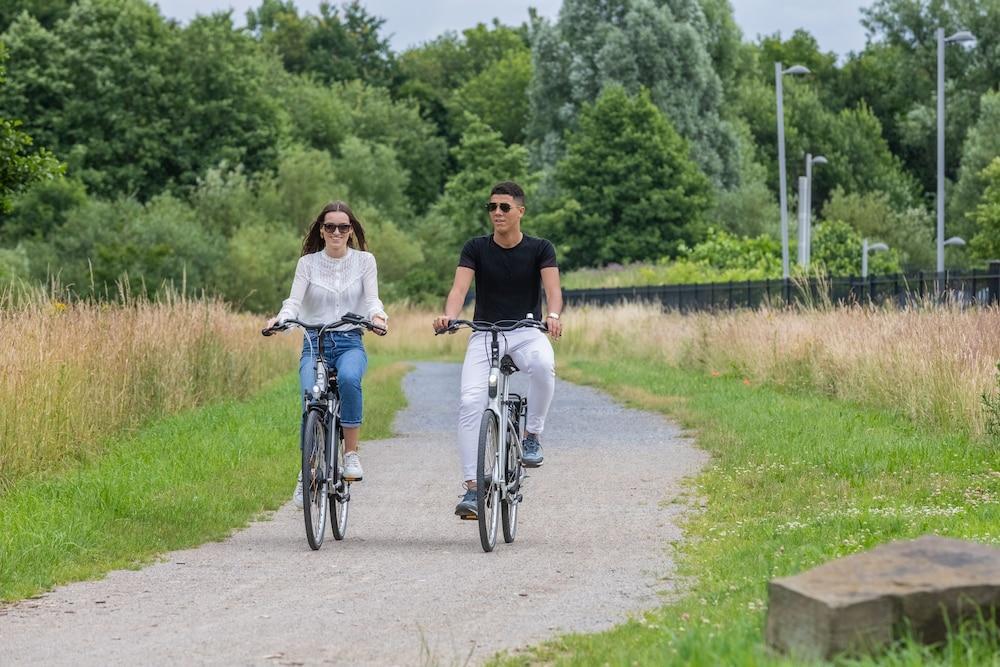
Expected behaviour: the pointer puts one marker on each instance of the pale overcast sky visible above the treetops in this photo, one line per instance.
(835, 25)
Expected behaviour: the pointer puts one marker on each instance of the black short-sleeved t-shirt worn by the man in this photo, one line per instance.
(508, 280)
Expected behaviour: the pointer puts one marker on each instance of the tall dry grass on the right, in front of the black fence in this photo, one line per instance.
(931, 364)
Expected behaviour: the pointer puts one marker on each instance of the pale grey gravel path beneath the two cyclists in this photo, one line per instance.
(410, 584)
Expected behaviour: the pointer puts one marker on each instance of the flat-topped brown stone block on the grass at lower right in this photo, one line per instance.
(860, 602)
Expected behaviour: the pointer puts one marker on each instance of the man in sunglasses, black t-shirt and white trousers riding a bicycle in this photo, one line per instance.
(510, 270)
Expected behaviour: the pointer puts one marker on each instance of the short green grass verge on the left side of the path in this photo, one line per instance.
(185, 480)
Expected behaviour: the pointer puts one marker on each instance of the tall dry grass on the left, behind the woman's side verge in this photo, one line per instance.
(74, 373)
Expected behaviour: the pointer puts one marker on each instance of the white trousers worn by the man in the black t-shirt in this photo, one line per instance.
(532, 353)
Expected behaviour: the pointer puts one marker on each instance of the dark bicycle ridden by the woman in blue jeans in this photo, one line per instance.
(322, 440)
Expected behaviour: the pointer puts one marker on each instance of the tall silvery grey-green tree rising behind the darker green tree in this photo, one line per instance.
(636, 44)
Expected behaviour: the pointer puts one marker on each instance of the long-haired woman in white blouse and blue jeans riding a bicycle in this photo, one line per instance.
(336, 275)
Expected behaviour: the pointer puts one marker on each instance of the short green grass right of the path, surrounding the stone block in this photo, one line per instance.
(794, 481)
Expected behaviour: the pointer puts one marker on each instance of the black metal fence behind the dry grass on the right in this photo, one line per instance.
(976, 287)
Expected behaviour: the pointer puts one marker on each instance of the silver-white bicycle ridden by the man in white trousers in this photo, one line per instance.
(499, 461)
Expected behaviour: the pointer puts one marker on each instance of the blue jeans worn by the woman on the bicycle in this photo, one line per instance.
(346, 352)
